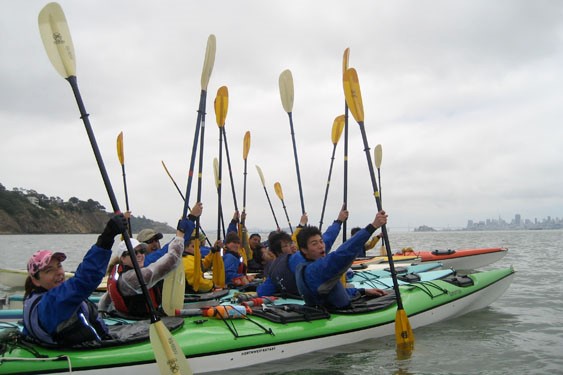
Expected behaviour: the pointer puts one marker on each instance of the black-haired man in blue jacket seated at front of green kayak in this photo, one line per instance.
(318, 276)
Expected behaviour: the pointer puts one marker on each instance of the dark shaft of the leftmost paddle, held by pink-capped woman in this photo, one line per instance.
(84, 116)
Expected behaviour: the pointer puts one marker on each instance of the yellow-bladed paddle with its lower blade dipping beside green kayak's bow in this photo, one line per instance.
(403, 331)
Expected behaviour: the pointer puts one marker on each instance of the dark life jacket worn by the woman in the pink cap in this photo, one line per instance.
(83, 326)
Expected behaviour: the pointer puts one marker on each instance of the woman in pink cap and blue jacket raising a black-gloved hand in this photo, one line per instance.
(58, 312)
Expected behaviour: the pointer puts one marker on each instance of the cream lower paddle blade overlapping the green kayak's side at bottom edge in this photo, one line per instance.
(168, 354)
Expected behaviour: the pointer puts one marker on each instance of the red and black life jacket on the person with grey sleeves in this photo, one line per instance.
(135, 305)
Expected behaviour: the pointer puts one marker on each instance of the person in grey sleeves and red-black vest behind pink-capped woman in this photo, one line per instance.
(124, 295)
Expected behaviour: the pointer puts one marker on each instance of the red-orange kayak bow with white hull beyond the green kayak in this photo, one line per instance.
(463, 259)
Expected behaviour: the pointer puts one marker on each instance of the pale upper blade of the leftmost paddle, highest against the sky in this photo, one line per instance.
(56, 39)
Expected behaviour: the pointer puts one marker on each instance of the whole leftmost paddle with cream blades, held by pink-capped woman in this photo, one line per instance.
(58, 45)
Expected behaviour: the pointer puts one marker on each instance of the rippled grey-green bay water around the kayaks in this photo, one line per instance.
(521, 333)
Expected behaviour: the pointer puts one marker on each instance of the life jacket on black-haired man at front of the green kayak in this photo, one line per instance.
(331, 293)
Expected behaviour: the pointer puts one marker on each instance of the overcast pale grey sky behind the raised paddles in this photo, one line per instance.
(464, 97)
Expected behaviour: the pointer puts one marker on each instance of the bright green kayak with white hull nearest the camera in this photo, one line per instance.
(267, 334)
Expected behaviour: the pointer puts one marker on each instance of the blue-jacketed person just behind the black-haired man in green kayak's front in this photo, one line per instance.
(280, 273)
